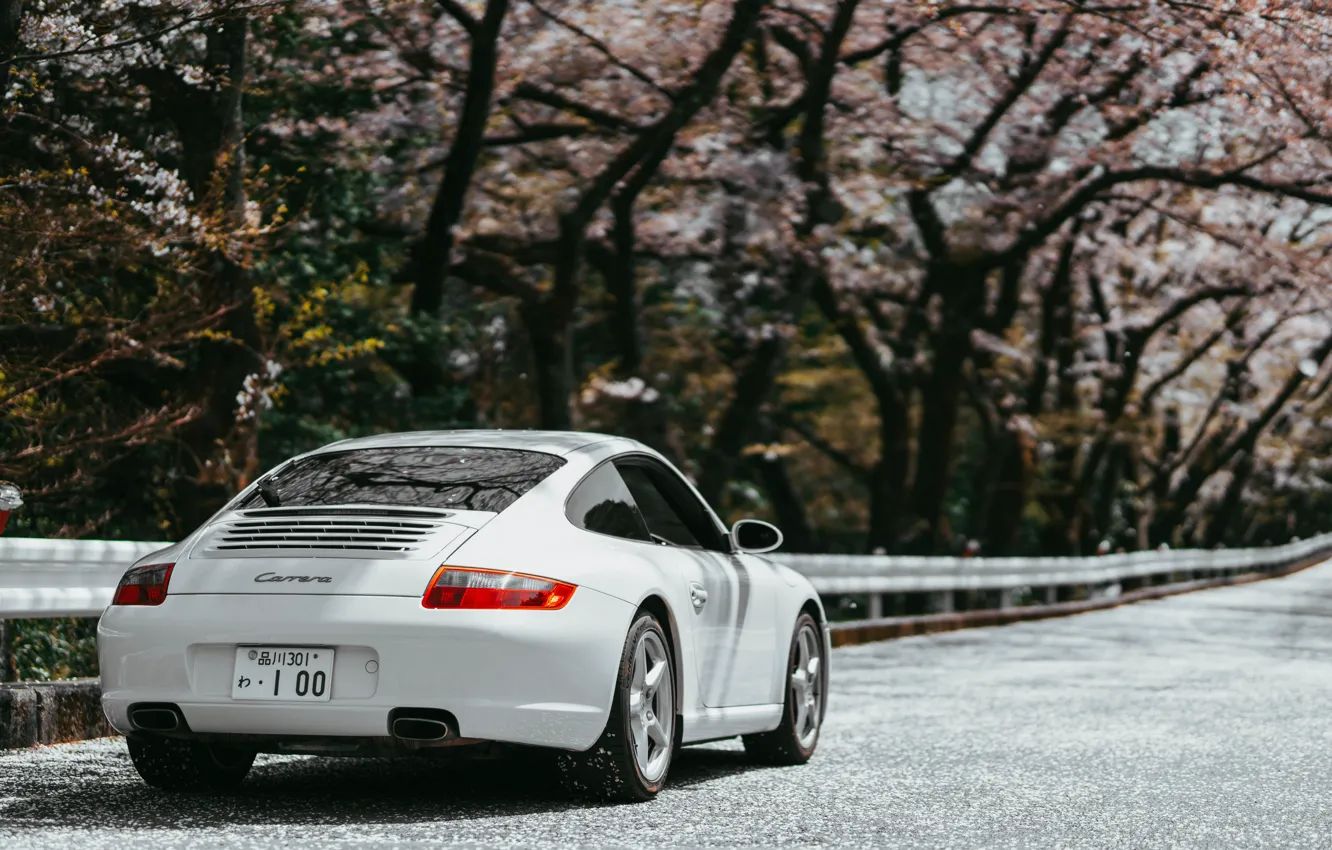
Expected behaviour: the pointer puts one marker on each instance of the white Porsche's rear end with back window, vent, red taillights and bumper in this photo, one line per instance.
(328, 614)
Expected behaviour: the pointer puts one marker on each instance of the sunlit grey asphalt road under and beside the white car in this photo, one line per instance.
(1198, 721)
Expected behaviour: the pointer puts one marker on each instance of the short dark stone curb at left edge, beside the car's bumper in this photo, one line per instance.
(34, 713)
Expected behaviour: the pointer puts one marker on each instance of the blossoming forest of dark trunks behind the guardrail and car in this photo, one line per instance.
(1044, 275)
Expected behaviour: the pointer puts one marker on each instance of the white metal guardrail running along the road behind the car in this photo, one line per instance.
(77, 578)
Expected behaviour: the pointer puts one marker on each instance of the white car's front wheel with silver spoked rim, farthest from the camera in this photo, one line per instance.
(807, 697)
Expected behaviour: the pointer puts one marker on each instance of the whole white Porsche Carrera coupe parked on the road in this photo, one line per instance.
(415, 592)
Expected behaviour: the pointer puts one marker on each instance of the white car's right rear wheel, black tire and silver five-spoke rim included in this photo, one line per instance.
(632, 759)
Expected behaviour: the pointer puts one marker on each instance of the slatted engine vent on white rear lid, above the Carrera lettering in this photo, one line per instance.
(331, 534)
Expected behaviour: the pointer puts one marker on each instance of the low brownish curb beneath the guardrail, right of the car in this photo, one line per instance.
(893, 628)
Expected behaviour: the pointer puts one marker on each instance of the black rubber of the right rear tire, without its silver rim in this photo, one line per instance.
(609, 769)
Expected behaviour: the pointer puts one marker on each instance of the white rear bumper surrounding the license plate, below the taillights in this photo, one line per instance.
(543, 679)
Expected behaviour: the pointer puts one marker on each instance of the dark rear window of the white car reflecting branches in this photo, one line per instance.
(462, 479)
